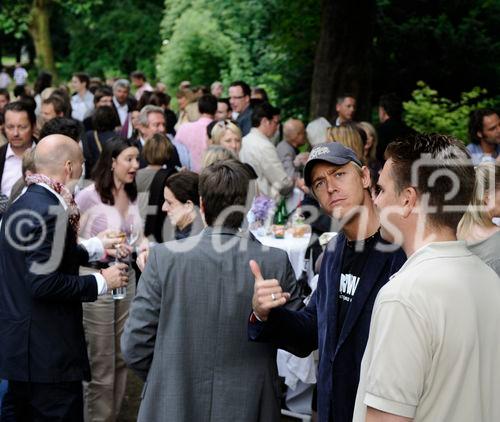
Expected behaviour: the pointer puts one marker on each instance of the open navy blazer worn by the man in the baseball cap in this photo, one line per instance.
(301, 332)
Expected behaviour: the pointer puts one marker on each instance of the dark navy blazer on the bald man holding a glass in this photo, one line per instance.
(41, 330)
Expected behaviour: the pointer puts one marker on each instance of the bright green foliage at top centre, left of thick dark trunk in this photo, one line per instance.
(270, 44)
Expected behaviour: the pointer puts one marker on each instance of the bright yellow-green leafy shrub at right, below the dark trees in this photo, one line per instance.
(428, 112)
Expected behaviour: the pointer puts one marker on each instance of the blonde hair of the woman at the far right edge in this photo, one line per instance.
(476, 214)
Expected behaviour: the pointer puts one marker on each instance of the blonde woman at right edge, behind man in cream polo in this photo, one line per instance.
(476, 226)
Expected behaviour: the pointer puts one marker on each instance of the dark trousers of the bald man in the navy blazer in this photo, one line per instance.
(43, 402)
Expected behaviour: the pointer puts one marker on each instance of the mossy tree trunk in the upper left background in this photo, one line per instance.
(40, 32)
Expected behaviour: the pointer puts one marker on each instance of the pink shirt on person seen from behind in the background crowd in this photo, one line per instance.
(194, 136)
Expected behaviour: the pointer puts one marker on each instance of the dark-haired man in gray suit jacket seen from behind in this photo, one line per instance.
(186, 335)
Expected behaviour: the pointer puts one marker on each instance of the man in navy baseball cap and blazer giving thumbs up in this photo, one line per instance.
(356, 264)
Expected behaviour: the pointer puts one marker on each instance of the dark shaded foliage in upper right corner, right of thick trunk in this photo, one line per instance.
(453, 45)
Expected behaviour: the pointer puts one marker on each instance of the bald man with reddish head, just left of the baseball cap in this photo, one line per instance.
(294, 136)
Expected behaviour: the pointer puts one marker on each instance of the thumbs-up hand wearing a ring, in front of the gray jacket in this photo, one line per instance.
(267, 293)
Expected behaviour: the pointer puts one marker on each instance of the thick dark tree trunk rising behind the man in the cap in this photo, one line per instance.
(343, 56)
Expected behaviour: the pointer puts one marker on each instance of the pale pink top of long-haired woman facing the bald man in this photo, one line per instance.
(97, 217)
